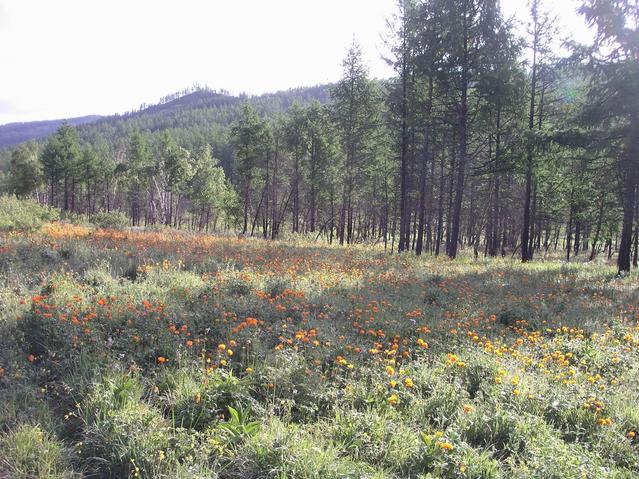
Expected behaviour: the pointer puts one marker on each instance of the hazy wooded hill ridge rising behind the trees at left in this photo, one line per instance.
(193, 117)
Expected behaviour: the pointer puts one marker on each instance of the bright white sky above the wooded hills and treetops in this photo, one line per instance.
(65, 58)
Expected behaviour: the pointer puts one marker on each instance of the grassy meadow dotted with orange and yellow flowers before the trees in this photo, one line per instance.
(161, 354)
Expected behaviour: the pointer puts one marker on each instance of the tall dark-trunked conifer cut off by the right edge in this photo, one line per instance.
(613, 107)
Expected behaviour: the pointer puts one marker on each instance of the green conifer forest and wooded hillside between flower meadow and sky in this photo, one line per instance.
(483, 140)
